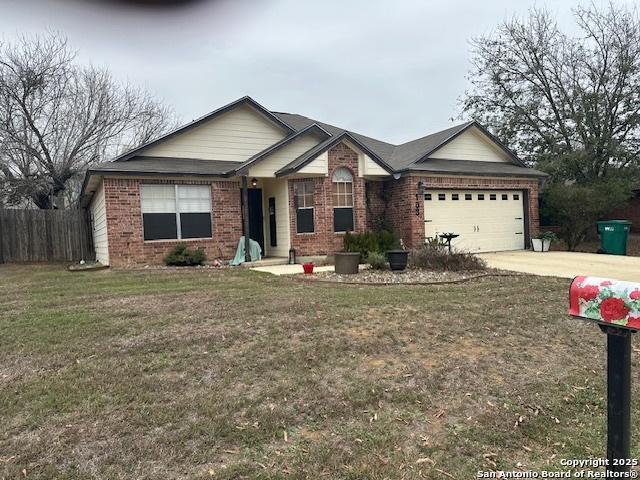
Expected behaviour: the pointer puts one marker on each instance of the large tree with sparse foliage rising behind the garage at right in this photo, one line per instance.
(569, 104)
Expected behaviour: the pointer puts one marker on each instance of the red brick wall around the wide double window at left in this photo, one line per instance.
(124, 223)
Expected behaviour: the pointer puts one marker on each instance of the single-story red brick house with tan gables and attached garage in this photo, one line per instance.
(297, 183)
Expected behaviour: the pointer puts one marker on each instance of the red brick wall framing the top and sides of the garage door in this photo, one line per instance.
(406, 207)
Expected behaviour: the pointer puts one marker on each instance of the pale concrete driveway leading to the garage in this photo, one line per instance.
(566, 264)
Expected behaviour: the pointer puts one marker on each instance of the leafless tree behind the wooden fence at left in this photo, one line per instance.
(57, 117)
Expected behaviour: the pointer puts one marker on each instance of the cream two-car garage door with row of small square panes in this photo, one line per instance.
(486, 220)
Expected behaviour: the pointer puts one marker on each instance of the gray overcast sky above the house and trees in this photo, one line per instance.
(388, 69)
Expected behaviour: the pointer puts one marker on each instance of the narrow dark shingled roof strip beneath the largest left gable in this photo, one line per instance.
(165, 166)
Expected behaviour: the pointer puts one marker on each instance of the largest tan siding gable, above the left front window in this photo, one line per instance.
(233, 136)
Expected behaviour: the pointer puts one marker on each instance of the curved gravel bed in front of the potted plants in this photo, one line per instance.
(387, 276)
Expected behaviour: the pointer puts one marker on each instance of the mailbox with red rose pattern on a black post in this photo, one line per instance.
(615, 306)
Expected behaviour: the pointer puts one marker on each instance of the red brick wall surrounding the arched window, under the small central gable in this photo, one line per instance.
(324, 240)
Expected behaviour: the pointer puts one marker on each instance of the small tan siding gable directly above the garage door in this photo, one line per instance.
(472, 145)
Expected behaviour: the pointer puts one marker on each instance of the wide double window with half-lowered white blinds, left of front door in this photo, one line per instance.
(174, 212)
